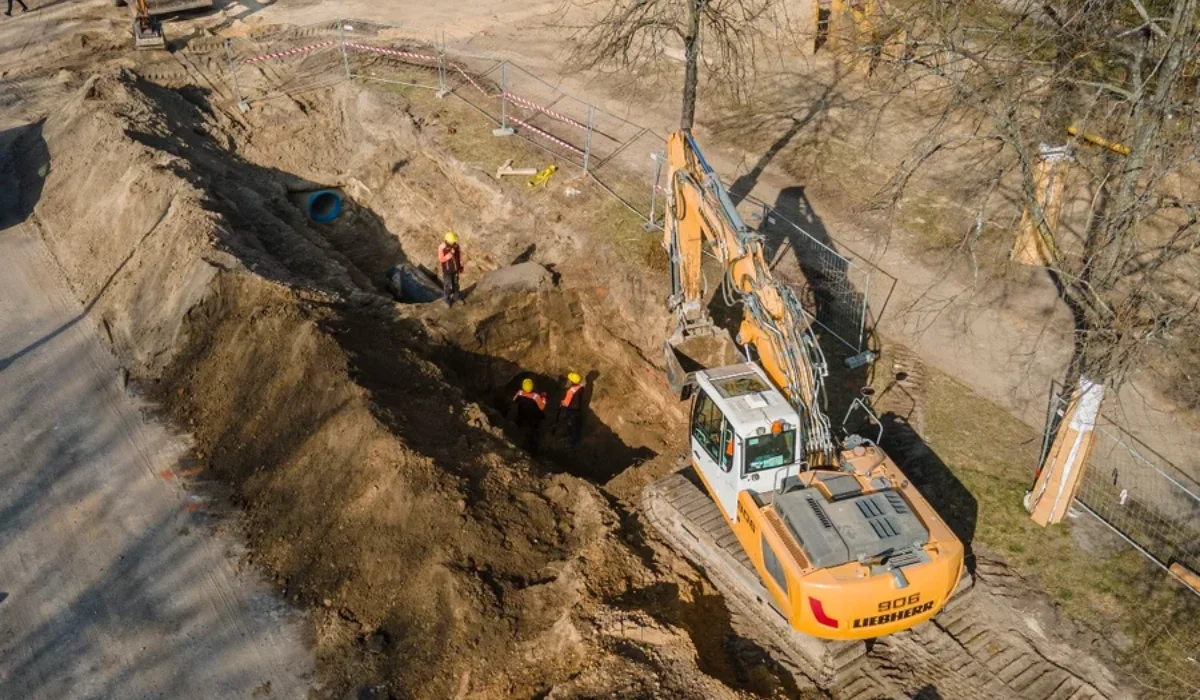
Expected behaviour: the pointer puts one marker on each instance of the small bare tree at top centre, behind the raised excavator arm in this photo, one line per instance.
(724, 35)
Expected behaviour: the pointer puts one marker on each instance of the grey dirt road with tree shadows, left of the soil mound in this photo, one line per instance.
(115, 582)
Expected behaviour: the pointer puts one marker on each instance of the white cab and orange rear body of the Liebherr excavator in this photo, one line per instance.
(845, 554)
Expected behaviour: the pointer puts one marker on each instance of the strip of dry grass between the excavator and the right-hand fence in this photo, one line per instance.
(1123, 596)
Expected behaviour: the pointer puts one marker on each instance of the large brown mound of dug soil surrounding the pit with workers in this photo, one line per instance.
(365, 440)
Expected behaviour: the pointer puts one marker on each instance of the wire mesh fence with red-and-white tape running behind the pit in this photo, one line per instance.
(620, 157)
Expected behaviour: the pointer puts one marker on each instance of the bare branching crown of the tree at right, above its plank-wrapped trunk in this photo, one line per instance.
(1013, 76)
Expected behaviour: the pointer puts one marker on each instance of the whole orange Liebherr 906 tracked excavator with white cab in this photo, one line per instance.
(825, 541)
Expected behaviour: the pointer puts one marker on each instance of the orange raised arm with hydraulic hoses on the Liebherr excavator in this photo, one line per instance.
(773, 322)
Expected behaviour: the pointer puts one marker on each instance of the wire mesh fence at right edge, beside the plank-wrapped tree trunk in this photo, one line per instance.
(1141, 495)
